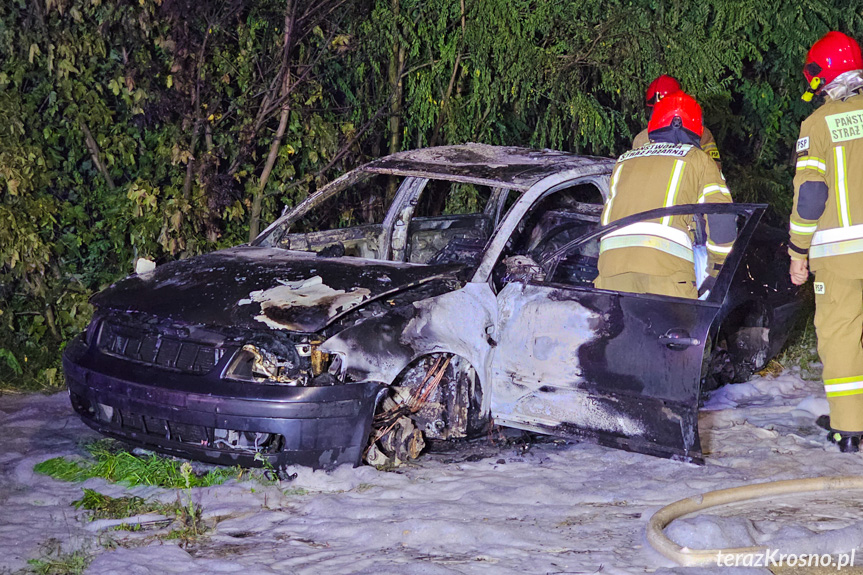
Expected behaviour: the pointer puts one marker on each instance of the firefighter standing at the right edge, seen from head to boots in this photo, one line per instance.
(827, 225)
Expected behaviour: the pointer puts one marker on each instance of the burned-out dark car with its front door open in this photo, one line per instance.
(421, 297)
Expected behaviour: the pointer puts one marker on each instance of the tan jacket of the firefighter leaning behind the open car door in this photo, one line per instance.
(663, 175)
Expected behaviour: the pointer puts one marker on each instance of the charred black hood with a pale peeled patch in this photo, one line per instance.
(260, 288)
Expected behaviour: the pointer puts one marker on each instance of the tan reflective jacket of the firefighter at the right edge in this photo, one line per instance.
(827, 218)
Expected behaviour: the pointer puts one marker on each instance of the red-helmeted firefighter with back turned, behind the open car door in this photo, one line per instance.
(657, 256)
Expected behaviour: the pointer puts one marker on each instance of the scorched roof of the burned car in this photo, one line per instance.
(497, 166)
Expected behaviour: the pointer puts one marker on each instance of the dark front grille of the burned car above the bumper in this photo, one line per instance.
(159, 350)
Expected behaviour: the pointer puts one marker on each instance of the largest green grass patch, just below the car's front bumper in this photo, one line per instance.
(110, 460)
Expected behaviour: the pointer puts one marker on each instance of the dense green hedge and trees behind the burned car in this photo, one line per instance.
(143, 127)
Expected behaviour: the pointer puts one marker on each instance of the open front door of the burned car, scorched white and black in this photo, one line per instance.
(620, 369)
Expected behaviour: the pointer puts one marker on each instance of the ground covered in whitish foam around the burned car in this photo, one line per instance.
(506, 507)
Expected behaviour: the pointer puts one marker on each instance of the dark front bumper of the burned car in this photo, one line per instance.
(209, 419)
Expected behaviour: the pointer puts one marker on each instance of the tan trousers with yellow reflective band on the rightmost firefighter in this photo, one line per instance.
(839, 327)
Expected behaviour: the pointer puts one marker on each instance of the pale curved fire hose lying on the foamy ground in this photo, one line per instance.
(706, 557)
